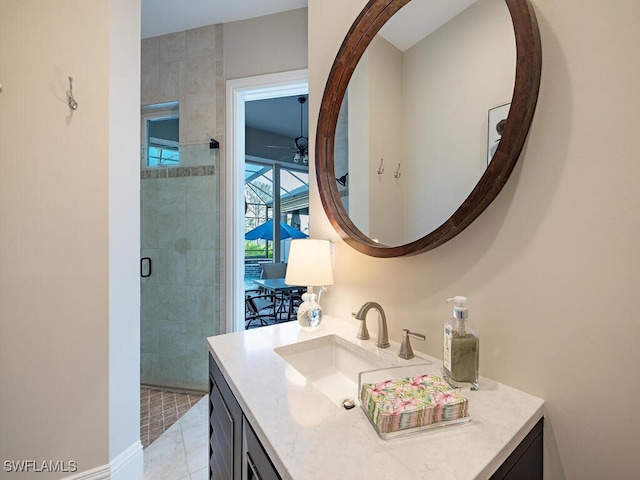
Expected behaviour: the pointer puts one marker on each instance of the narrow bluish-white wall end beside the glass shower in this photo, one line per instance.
(125, 449)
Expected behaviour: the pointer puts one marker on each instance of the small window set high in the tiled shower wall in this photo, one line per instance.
(161, 135)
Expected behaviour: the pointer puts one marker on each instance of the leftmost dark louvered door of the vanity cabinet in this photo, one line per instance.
(225, 429)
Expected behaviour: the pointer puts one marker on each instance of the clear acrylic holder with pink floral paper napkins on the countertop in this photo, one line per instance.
(406, 400)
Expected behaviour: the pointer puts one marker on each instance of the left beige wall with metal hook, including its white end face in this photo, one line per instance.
(62, 231)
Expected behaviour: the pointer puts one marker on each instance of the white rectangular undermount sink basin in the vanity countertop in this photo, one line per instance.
(331, 364)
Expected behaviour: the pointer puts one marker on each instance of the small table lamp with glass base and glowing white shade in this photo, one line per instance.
(309, 265)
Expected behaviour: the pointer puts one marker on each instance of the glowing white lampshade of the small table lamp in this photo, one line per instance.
(309, 263)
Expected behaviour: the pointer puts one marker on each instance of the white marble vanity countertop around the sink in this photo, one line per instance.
(308, 436)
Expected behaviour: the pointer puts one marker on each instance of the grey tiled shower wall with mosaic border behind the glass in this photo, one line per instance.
(181, 302)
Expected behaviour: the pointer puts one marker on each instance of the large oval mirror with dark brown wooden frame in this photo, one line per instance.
(423, 118)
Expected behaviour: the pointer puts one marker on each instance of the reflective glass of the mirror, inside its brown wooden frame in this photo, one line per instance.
(412, 136)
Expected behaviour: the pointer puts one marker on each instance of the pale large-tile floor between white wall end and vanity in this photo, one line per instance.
(182, 451)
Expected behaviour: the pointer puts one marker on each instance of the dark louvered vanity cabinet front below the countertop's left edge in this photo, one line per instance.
(235, 453)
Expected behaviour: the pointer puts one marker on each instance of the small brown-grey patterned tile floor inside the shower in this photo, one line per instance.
(160, 409)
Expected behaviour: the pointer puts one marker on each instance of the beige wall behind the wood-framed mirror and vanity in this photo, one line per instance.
(552, 267)
